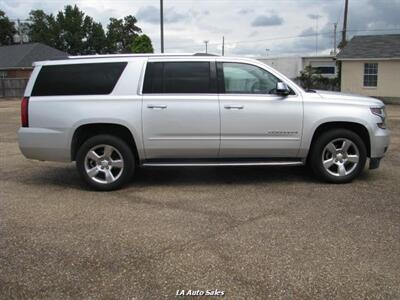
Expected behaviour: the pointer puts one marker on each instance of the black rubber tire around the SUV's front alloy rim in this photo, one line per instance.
(318, 150)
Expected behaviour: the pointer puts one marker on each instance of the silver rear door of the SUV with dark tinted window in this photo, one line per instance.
(180, 111)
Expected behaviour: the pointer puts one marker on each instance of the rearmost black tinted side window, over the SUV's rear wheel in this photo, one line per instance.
(78, 79)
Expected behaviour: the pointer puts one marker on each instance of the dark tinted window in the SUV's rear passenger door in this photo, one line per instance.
(177, 77)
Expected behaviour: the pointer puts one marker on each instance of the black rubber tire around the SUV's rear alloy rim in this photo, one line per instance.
(121, 174)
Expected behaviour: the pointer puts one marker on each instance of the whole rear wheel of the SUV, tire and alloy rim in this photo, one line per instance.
(105, 162)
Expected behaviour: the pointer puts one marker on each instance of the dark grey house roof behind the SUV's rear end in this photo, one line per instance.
(22, 56)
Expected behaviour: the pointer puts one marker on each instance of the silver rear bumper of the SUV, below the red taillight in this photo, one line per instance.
(44, 144)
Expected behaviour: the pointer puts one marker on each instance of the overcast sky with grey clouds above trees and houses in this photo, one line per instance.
(285, 27)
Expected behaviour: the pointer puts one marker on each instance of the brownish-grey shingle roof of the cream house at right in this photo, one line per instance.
(372, 46)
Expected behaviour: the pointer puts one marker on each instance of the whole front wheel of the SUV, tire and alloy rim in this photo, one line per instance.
(338, 156)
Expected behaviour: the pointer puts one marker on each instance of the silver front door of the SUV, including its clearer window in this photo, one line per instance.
(255, 121)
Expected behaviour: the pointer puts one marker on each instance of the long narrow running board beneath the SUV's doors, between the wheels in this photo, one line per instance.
(222, 164)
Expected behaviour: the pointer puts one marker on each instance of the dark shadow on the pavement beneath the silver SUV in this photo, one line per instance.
(67, 176)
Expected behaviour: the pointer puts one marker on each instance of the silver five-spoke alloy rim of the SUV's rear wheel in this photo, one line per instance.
(104, 164)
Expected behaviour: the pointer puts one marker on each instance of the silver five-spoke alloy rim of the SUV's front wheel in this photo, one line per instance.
(340, 157)
